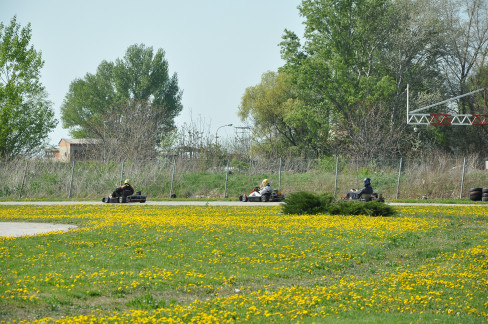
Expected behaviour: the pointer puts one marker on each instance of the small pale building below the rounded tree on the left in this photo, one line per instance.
(75, 149)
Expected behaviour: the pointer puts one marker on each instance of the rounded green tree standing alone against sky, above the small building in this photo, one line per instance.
(140, 76)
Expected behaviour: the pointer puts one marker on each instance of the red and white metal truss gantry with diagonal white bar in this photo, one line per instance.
(416, 118)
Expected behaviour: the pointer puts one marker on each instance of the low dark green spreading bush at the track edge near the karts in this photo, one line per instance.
(309, 203)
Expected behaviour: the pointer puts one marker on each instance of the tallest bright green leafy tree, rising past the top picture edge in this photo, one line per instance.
(338, 67)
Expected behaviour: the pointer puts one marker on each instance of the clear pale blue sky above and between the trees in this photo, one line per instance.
(218, 48)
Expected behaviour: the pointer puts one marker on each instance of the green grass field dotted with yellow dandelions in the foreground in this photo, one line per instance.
(245, 264)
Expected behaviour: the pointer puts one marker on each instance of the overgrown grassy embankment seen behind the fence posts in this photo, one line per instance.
(91, 181)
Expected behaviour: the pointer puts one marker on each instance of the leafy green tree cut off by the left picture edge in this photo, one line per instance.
(26, 116)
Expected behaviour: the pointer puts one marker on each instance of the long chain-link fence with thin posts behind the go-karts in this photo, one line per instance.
(428, 177)
